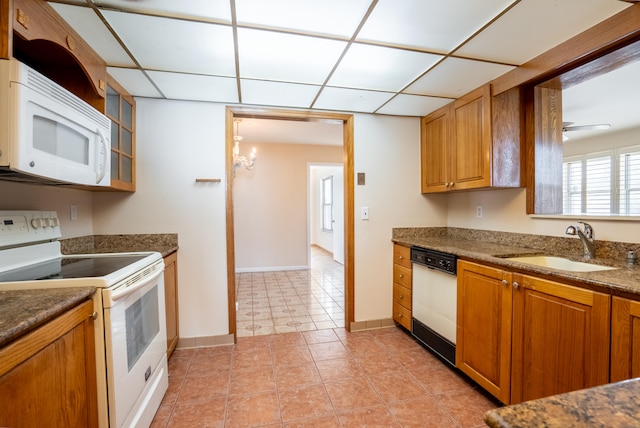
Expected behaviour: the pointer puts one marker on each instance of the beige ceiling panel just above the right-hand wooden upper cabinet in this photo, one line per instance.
(454, 77)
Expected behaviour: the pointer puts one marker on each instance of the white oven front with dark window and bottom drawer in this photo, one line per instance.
(136, 345)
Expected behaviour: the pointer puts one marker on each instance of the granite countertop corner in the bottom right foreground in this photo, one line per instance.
(613, 405)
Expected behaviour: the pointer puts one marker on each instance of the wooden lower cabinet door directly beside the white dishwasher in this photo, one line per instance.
(483, 348)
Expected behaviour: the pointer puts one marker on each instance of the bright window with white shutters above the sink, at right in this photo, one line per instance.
(604, 183)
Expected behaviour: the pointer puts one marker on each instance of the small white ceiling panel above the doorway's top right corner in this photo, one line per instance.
(344, 99)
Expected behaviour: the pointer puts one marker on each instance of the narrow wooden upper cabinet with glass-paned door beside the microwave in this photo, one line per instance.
(121, 109)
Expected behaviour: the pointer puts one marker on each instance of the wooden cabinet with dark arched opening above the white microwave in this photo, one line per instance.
(40, 38)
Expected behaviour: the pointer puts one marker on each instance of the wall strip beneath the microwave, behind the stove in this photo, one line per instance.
(17, 196)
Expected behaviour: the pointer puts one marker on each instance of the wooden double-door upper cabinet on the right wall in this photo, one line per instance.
(458, 148)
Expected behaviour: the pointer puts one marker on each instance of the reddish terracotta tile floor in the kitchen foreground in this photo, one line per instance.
(318, 378)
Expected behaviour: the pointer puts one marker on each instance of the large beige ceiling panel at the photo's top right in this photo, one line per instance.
(533, 27)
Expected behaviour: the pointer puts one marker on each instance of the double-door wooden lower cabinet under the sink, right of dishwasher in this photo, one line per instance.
(529, 335)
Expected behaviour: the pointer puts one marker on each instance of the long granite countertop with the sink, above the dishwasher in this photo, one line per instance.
(624, 280)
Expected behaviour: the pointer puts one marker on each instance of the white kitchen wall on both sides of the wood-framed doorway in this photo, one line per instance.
(180, 141)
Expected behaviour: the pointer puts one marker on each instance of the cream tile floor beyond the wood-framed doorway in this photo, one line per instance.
(290, 301)
